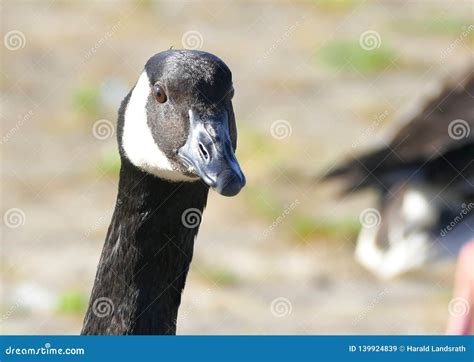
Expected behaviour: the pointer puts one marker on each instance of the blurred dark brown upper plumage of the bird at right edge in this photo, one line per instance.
(423, 142)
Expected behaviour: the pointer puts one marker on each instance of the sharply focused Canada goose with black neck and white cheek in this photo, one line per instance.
(177, 136)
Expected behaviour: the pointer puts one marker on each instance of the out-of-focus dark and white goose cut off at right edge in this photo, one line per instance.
(425, 179)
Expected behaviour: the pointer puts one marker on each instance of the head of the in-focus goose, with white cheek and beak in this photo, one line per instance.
(178, 121)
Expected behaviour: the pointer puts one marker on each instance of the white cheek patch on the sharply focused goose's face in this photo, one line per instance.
(137, 140)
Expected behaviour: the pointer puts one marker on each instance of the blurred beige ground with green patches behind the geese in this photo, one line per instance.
(315, 81)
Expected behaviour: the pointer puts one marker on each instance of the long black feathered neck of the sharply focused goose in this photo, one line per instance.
(146, 256)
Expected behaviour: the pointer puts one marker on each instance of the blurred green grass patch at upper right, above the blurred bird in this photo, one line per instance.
(348, 55)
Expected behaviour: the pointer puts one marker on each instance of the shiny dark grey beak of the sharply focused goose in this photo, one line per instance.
(208, 153)
